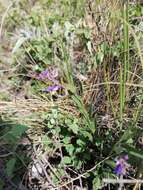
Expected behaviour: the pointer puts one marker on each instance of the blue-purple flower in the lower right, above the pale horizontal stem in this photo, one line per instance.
(121, 165)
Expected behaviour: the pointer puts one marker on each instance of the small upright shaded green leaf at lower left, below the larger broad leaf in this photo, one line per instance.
(10, 167)
